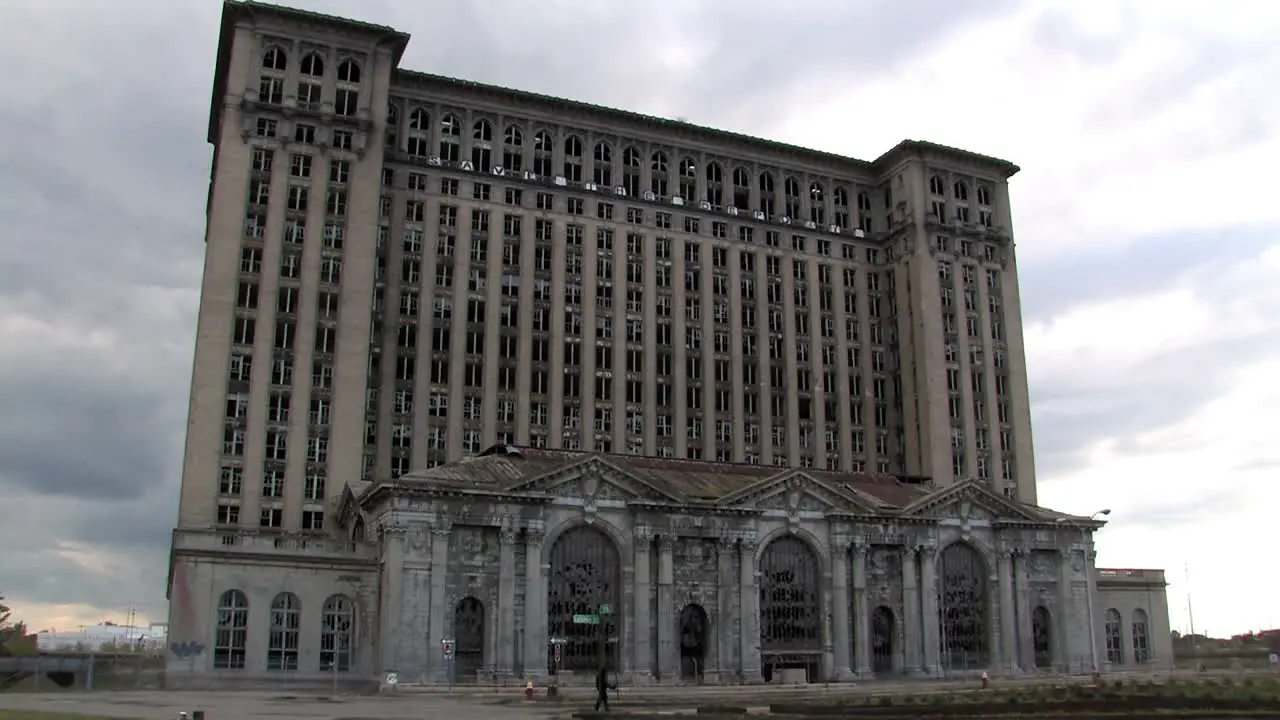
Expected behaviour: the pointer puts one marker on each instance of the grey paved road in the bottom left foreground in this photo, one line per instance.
(260, 707)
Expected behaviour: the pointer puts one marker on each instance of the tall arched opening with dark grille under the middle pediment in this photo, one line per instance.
(790, 609)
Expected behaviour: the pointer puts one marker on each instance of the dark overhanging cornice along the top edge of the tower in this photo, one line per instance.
(239, 11)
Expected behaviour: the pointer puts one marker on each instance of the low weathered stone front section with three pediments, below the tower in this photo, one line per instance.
(712, 572)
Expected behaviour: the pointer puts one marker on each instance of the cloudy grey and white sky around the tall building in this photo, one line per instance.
(1149, 252)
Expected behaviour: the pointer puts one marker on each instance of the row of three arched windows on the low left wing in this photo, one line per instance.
(337, 634)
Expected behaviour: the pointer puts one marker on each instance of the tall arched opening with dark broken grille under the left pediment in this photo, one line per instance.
(583, 600)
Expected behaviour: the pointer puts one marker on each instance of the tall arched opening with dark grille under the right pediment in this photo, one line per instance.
(963, 599)
